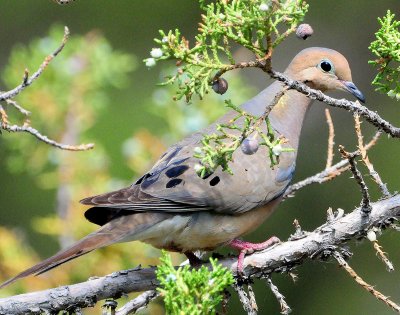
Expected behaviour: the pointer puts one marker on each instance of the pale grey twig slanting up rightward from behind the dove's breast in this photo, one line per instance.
(328, 174)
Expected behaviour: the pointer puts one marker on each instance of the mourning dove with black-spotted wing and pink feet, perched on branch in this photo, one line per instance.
(172, 208)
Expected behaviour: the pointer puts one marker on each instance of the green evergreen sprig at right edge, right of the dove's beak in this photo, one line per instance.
(387, 48)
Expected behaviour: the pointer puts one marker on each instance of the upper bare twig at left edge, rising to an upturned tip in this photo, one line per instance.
(27, 81)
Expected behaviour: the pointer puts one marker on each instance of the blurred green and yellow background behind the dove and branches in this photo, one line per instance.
(98, 90)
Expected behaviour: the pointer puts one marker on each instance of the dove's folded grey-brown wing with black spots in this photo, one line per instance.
(173, 185)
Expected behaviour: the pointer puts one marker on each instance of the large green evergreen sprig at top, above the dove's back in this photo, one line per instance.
(258, 25)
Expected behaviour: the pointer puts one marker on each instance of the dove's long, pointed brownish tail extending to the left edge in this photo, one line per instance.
(82, 247)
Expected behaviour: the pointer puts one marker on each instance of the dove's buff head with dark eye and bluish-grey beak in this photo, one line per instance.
(323, 69)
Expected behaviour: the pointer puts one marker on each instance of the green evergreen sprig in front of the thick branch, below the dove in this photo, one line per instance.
(194, 292)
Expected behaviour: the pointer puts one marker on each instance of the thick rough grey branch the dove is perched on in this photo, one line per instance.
(280, 258)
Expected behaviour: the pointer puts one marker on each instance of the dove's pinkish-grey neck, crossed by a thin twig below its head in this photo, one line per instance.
(287, 115)
